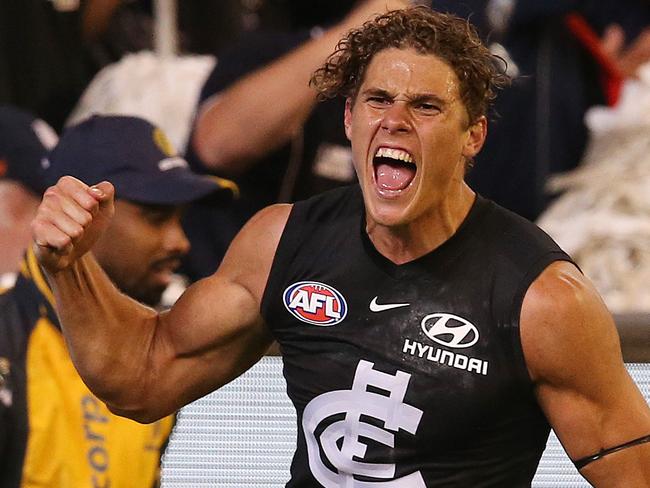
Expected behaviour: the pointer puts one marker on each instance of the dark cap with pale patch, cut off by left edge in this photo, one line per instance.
(24, 142)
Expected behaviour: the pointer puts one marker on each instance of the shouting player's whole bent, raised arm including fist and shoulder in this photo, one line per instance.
(143, 364)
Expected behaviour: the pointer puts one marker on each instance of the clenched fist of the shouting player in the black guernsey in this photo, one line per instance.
(69, 221)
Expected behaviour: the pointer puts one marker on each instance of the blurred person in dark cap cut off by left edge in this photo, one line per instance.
(24, 140)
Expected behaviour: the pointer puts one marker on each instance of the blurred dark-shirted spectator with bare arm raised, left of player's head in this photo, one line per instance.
(259, 122)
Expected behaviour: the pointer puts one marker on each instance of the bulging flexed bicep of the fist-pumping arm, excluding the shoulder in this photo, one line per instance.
(213, 335)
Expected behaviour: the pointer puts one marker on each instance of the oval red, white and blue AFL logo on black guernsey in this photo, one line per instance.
(315, 303)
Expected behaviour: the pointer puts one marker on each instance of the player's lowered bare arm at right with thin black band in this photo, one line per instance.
(573, 355)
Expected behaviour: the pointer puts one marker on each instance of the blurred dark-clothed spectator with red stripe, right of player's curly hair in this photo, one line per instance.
(570, 55)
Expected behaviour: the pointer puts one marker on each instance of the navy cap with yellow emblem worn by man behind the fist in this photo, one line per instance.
(135, 156)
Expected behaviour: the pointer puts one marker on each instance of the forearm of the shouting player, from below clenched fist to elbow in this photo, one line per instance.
(109, 335)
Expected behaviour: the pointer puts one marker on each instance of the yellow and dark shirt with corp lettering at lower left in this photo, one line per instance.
(53, 431)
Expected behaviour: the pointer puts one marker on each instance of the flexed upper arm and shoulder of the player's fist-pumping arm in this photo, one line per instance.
(215, 331)
